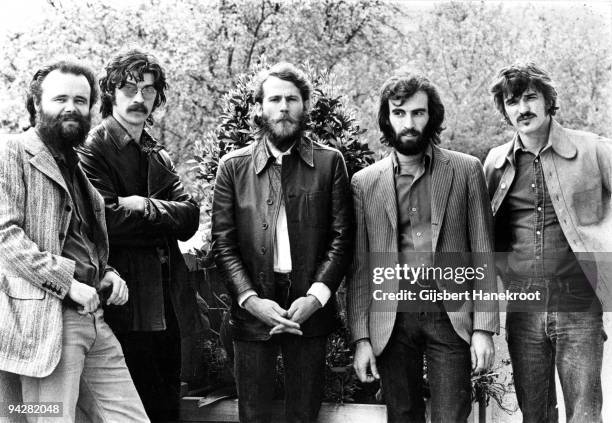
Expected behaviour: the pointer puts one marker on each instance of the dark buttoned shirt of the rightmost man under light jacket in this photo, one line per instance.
(538, 248)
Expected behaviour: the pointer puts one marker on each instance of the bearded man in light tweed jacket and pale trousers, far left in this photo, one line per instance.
(53, 254)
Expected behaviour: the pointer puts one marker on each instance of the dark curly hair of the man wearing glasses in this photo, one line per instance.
(132, 63)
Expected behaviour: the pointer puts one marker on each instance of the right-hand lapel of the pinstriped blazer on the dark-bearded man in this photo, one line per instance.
(441, 181)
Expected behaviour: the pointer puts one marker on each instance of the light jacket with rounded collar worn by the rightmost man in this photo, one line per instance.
(578, 174)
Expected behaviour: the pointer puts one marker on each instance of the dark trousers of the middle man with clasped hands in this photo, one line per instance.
(304, 367)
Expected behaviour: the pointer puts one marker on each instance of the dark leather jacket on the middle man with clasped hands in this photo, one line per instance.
(317, 199)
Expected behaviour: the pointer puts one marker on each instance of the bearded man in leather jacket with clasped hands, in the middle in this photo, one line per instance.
(281, 228)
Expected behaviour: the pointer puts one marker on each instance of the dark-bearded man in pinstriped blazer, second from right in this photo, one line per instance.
(420, 200)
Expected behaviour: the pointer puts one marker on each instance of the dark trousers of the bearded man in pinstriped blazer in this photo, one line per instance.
(448, 370)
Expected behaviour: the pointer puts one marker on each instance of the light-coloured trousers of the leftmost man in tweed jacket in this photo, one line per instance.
(91, 374)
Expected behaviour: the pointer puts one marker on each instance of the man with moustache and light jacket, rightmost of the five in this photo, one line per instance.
(550, 190)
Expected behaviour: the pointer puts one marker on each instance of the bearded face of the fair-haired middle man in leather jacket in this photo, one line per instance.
(282, 110)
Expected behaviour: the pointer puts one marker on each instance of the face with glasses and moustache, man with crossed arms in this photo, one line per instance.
(134, 101)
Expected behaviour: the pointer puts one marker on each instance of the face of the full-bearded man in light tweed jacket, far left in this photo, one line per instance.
(63, 110)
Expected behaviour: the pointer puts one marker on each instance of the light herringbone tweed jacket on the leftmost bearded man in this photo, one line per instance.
(35, 211)
